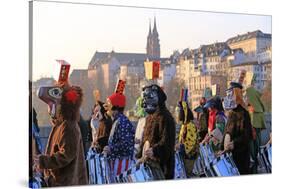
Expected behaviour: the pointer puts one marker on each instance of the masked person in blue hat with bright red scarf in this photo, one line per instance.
(217, 118)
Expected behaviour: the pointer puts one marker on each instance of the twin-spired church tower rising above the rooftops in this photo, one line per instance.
(153, 45)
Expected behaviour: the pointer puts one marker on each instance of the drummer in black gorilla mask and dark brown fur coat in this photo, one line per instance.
(159, 131)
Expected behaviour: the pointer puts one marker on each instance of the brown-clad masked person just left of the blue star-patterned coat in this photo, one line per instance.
(102, 124)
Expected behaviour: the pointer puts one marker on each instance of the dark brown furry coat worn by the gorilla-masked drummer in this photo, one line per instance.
(160, 132)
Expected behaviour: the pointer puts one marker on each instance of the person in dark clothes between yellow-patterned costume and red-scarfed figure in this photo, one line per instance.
(202, 119)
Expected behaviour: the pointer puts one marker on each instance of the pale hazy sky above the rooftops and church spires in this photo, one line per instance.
(74, 32)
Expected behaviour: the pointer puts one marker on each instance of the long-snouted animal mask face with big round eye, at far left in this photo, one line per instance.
(52, 97)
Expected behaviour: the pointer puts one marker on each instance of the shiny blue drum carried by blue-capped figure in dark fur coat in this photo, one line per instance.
(223, 166)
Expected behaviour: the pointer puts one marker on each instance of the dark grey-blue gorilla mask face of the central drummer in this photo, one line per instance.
(150, 99)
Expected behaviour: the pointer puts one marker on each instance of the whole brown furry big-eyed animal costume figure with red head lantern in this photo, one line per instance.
(63, 162)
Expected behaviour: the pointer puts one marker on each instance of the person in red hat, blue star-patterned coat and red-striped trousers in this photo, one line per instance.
(120, 147)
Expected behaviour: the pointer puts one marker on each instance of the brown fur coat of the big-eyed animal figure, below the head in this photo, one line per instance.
(64, 162)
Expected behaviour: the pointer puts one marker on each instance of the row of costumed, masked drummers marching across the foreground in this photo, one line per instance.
(230, 124)
